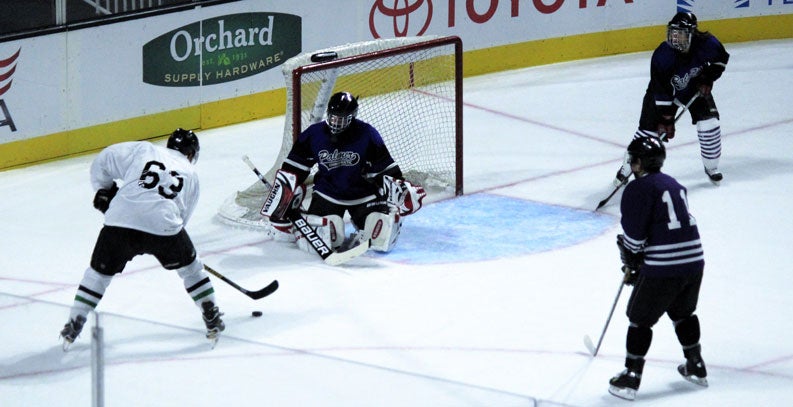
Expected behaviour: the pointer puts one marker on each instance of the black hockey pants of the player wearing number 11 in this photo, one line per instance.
(653, 296)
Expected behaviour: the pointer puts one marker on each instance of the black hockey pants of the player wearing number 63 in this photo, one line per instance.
(116, 246)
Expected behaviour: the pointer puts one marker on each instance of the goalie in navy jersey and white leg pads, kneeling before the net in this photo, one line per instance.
(355, 175)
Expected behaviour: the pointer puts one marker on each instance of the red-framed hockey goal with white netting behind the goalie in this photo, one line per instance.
(409, 89)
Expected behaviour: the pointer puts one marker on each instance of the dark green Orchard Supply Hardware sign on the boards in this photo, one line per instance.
(221, 49)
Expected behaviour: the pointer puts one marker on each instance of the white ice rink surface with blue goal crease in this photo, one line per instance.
(485, 301)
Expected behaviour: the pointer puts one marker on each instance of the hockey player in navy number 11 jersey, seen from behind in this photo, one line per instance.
(663, 258)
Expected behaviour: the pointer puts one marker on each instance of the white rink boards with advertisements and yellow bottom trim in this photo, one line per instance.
(80, 90)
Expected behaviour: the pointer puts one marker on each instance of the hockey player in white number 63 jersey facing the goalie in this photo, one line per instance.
(148, 194)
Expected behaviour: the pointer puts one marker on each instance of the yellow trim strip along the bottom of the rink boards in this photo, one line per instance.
(477, 62)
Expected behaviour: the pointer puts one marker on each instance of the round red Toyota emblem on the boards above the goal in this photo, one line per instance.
(399, 17)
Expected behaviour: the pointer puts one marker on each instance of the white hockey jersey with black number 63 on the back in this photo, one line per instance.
(158, 187)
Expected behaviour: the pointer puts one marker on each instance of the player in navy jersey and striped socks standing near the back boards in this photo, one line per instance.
(683, 69)
